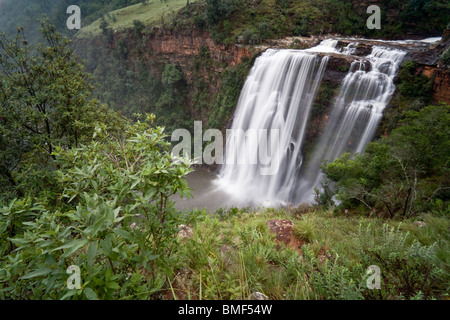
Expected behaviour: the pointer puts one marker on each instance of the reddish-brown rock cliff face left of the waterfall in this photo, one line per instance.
(201, 61)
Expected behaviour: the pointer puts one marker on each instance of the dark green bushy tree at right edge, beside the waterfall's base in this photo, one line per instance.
(400, 174)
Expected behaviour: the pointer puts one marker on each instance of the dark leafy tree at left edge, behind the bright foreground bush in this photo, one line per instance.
(45, 100)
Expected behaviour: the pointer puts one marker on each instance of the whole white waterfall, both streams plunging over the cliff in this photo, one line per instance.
(277, 97)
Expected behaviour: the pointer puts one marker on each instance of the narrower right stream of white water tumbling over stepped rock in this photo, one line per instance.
(355, 115)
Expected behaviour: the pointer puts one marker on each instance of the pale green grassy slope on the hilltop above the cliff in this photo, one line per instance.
(151, 13)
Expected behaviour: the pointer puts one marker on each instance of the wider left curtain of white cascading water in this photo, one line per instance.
(277, 97)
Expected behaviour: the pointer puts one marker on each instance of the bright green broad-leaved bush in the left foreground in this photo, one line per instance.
(115, 221)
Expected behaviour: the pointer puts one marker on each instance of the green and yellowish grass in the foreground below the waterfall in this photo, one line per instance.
(231, 256)
